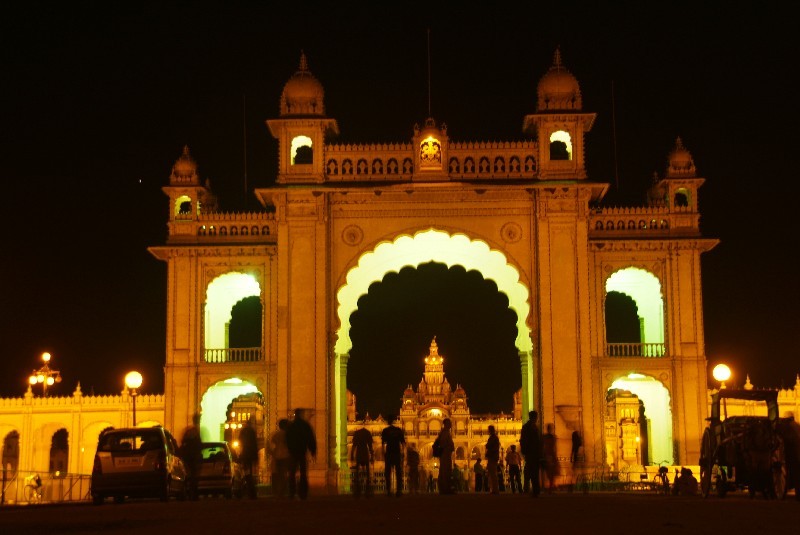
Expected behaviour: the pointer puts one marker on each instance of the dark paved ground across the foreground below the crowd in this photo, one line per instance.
(559, 513)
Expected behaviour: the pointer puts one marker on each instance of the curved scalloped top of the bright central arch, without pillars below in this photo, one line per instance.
(432, 246)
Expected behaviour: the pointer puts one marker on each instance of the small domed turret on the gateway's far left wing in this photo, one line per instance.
(187, 197)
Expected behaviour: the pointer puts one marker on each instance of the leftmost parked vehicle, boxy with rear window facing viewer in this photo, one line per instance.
(137, 462)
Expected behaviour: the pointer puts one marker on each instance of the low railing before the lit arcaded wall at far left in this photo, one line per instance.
(55, 488)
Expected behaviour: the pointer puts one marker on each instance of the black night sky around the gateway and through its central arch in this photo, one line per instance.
(98, 101)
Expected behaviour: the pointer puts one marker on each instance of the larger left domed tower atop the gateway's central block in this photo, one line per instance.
(302, 128)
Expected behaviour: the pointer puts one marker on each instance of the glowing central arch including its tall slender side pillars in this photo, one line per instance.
(430, 245)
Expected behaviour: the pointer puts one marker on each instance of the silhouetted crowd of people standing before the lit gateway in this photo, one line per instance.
(526, 471)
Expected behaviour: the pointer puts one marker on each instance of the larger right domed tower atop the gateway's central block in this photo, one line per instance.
(559, 125)
